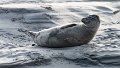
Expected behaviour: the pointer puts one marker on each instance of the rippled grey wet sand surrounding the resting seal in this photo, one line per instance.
(17, 49)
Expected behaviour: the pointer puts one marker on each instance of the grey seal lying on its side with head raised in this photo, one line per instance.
(67, 35)
